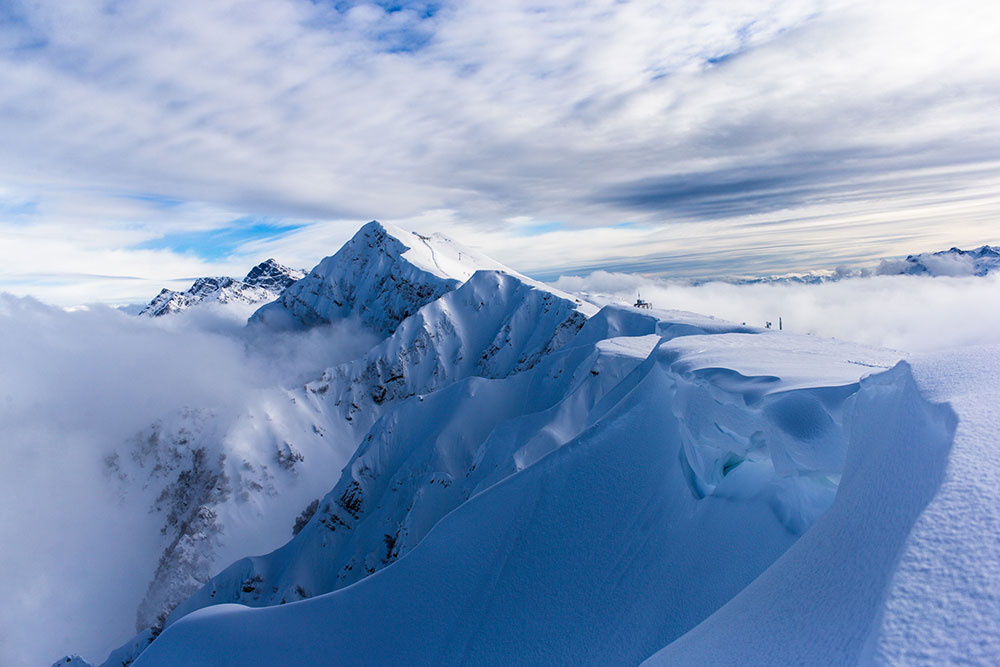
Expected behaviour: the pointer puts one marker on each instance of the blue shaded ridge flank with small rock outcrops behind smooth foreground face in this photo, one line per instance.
(421, 461)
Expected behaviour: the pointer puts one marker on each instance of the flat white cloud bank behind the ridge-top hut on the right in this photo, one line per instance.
(909, 313)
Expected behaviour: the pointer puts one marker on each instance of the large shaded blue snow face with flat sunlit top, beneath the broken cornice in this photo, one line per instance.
(622, 490)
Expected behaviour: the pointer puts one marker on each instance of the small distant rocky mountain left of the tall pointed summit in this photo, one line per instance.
(265, 282)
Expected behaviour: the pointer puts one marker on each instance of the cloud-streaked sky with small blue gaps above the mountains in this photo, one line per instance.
(143, 141)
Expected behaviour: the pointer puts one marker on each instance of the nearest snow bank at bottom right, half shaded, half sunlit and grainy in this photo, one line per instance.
(905, 567)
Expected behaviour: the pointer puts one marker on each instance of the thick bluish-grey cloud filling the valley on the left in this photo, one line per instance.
(76, 558)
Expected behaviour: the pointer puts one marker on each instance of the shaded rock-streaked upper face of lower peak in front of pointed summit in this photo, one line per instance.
(494, 325)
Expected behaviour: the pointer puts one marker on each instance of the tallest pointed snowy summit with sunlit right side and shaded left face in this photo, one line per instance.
(383, 275)
